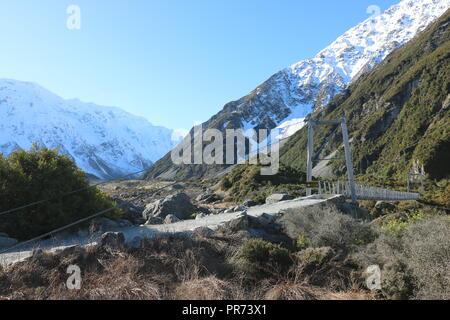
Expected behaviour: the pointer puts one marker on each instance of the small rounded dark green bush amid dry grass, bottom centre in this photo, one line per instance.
(259, 258)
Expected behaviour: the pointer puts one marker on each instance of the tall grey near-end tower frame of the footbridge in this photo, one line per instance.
(348, 156)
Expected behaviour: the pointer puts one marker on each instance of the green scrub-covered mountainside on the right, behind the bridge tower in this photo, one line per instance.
(398, 114)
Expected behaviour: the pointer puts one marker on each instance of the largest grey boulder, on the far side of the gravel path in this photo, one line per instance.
(178, 204)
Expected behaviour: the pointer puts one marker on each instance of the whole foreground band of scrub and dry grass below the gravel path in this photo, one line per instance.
(327, 259)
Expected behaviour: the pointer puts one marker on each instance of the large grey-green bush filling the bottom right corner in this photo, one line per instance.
(414, 262)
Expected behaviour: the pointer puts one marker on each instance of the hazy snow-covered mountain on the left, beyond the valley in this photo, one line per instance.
(106, 142)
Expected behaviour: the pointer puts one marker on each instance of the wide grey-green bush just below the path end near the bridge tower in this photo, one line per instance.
(325, 227)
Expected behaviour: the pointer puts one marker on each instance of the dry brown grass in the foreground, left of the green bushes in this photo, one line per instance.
(165, 268)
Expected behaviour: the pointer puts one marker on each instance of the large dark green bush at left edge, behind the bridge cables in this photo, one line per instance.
(42, 174)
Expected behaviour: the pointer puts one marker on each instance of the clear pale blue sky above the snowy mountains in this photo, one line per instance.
(173, 62)
